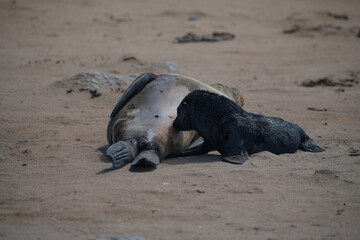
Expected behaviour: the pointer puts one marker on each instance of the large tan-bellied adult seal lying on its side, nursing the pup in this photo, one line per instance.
(140, 128)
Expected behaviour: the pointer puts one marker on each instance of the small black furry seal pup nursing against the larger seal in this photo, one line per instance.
(235, 133)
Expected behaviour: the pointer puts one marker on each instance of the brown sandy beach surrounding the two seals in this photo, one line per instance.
(50, 139)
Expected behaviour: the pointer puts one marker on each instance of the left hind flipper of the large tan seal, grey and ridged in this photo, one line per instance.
(121, 153)
